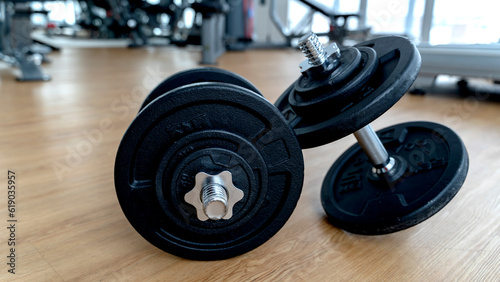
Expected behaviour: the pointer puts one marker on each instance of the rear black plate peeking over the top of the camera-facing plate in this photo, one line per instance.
(204, 74)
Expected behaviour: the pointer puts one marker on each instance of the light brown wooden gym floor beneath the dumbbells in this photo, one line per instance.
(70, 226)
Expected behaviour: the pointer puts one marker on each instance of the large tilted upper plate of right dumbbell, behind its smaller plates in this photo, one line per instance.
(399, 63)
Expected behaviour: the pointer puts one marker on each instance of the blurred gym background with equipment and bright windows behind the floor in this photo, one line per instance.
(459, 41)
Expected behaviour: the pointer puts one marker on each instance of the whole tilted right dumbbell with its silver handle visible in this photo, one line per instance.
(393, 179)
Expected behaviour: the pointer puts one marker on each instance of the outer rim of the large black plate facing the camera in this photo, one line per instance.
(151, 113)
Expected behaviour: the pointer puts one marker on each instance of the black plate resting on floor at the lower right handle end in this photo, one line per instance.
(437, 164)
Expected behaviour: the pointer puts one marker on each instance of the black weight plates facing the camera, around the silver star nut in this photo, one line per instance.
(208, 127)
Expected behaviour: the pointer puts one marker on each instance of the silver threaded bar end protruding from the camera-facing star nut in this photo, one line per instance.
(214, 199)
